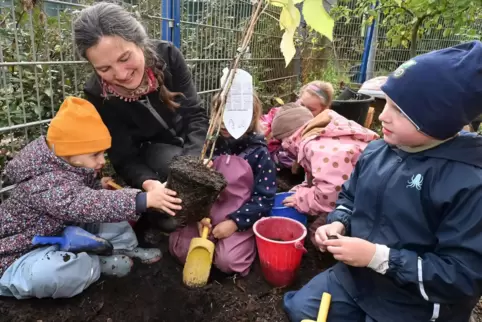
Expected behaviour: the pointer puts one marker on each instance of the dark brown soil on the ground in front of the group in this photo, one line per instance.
(156, 293)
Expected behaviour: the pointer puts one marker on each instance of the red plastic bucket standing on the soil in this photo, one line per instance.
(280, 242)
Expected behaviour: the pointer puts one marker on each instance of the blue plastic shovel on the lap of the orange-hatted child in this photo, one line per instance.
(76, 240)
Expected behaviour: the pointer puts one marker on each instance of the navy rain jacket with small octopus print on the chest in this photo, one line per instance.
(427, 208)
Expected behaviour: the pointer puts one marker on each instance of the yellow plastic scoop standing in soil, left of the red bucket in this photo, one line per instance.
(199, 260)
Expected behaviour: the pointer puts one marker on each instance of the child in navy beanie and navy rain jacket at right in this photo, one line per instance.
(408, 220)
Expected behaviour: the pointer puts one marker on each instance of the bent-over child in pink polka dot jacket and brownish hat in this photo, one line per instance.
(327, 147)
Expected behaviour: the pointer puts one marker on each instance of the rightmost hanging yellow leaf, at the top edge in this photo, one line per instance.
(317, 18)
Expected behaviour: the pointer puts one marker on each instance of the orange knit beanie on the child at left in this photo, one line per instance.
(77, 129)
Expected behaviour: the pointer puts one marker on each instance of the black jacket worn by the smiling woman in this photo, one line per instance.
(131, 123)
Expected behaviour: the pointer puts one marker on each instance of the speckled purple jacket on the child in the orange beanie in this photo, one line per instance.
(50, 194)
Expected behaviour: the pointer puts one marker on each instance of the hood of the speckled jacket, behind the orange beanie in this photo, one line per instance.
(36, 159)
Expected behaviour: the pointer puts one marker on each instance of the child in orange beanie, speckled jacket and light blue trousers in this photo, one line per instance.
(57, 185)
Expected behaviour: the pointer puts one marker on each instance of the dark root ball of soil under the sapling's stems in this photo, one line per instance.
(196, 185)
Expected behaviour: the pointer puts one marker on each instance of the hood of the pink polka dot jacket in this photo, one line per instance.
(327, 124)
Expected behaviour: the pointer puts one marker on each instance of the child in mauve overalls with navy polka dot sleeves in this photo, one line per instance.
(248, 196)
